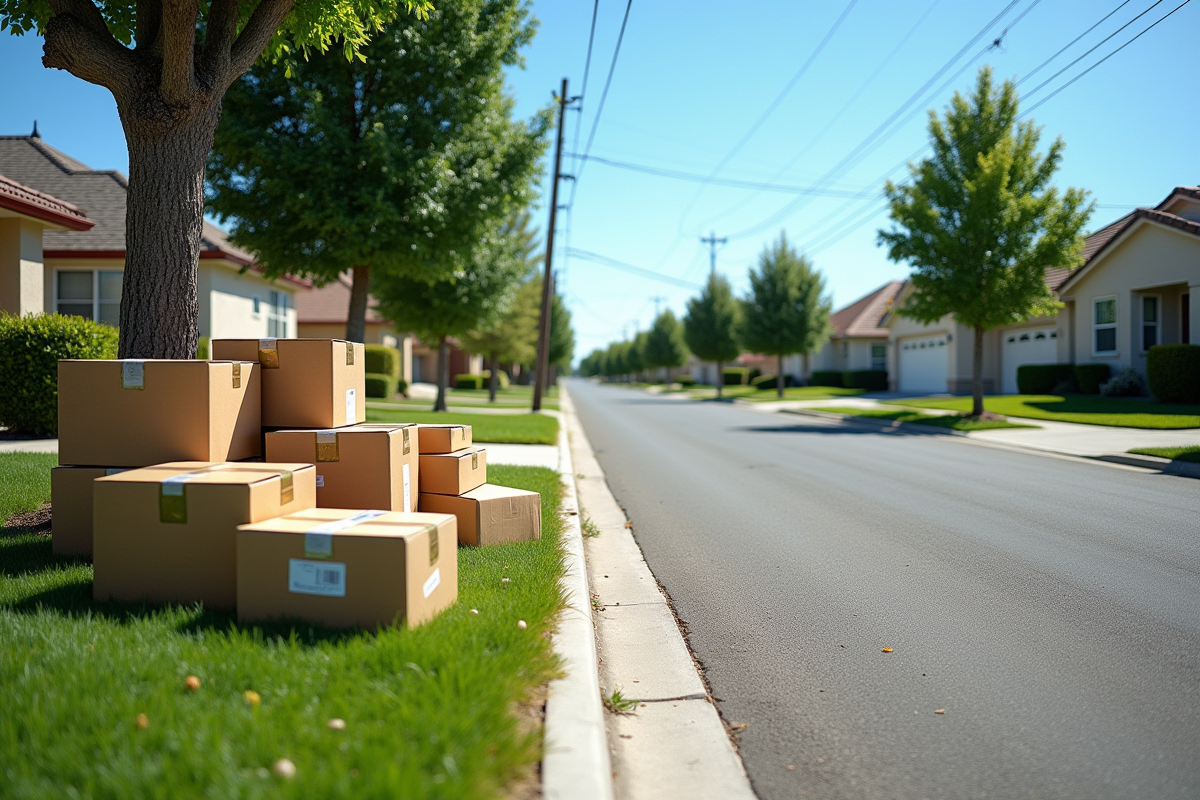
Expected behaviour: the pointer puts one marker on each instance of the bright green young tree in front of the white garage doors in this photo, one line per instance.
(980, 224)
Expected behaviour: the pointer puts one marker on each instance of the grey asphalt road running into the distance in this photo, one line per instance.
(1051, 607)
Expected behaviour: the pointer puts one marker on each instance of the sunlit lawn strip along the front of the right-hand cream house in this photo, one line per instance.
(1085, 410)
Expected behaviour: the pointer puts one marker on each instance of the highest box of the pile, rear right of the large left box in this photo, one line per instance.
(307, 383)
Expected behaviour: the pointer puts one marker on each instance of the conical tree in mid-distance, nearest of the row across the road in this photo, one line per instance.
(784, 312)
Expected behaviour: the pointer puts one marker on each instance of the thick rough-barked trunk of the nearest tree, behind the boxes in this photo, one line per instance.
(164, 221)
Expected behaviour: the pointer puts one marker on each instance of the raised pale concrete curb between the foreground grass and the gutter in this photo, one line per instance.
(575, 763)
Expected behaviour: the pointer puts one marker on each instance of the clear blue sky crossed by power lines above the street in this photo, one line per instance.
(694, 81)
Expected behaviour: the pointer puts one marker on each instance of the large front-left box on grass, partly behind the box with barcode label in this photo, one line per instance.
(170, 533)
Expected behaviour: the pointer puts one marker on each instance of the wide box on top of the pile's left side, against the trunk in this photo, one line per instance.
(140, 413)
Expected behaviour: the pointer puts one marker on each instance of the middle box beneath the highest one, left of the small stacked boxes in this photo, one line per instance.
(361, 467)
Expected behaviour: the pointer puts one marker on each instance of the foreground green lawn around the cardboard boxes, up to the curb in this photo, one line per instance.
(430, 712)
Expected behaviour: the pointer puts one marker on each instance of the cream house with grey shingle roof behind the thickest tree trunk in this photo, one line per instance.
(63, 250)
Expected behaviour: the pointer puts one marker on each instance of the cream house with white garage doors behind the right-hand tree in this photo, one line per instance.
(1132, 292)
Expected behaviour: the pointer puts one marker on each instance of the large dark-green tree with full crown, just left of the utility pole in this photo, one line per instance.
(385, 163)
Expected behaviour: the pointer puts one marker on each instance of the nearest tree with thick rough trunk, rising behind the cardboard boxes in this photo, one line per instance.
(169, 65)
